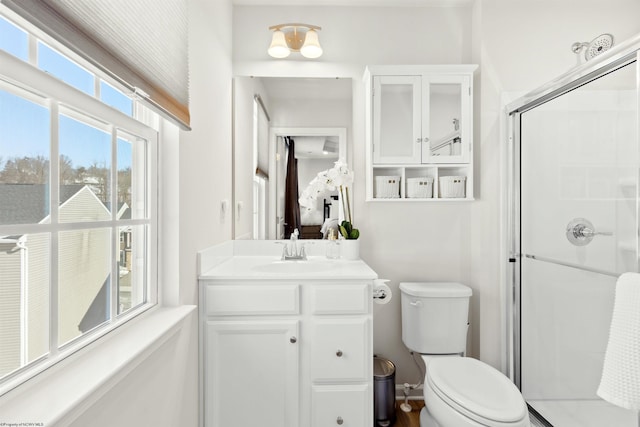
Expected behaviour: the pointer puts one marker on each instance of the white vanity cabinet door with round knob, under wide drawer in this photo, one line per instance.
(251, 373)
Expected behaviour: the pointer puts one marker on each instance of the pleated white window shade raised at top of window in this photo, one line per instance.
(141, 43)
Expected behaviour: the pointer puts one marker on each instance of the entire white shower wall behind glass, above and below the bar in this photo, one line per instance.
(579, 159)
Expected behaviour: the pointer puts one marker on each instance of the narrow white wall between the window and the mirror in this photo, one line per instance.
(205, 151)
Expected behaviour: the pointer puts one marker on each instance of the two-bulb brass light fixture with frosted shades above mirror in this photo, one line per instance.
(301, 38)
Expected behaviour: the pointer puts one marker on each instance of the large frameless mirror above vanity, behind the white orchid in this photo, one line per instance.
(316, 114)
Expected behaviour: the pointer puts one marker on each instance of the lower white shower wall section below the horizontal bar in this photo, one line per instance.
(566, 321)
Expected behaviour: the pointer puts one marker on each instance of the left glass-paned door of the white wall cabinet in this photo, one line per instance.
(397, 126)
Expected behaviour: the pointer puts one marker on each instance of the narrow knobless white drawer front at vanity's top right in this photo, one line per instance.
(340, 299)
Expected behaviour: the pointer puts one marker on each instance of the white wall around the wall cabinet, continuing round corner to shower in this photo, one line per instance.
(519, 46)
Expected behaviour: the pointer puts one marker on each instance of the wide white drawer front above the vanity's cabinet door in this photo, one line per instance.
(233, 300)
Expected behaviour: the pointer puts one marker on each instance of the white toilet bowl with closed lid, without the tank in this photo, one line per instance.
(464, 392)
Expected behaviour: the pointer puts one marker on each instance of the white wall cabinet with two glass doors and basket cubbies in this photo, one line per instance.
(419, 132)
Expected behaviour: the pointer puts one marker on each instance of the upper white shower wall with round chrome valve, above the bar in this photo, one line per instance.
(580, 160)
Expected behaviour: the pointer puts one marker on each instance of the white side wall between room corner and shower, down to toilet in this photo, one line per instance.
(520, 46)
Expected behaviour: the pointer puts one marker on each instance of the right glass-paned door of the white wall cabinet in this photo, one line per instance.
(446, 119)
